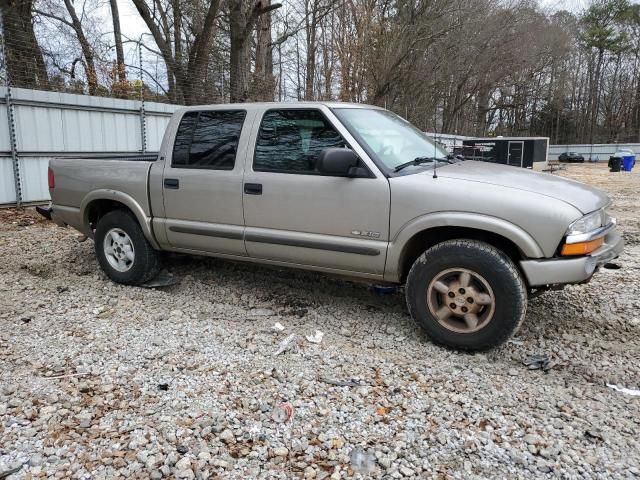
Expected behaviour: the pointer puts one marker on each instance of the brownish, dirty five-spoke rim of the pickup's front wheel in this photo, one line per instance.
(461, 300)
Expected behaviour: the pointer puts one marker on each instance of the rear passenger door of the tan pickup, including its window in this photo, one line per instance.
(202, 182)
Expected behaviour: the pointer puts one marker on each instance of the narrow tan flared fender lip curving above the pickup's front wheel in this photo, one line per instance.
(525, 242)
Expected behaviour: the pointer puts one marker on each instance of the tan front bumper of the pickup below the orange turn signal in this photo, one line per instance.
(556, 271)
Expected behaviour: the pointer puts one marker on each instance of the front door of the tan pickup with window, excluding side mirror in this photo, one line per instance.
(295, 214)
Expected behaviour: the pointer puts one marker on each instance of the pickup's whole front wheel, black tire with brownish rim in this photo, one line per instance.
(437, 294)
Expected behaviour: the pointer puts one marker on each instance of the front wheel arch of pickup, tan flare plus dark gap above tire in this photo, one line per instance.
(424, 232)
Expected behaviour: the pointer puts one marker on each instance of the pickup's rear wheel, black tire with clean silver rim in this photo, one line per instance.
(136, 261)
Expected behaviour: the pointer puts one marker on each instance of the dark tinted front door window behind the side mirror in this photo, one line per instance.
(290, 141)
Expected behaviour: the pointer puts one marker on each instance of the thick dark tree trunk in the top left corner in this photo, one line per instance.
(25, 65)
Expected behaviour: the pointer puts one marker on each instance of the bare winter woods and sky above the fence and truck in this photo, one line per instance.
(471, 67)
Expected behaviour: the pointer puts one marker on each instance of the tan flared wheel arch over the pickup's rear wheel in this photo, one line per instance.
(99, 202)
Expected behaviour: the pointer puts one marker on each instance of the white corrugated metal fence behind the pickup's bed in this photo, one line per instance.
(50, 124)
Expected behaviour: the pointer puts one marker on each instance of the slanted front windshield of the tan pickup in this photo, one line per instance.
(390, 138)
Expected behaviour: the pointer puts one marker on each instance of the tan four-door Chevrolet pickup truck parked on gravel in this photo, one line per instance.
(345, 189)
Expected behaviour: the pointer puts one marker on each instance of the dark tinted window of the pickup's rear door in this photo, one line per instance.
(208, 139)
